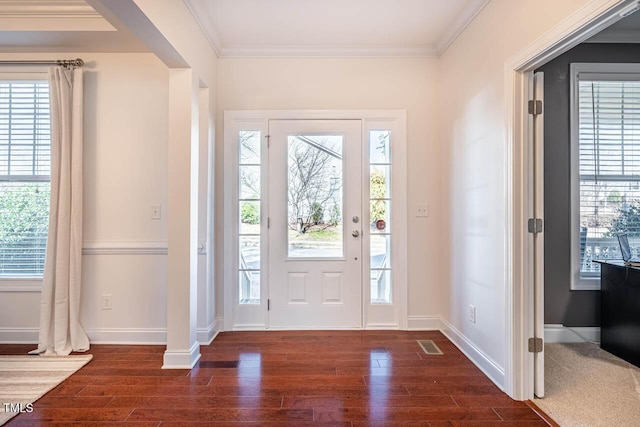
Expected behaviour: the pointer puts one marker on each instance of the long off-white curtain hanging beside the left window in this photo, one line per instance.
(60, 329)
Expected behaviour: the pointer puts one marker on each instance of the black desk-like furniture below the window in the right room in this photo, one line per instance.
(620, 304)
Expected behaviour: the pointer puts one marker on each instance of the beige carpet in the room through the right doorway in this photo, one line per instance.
(587, 386)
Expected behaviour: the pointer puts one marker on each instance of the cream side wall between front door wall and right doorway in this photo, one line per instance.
(473, 141)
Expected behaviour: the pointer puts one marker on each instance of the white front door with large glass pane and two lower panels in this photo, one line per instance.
(315, 224)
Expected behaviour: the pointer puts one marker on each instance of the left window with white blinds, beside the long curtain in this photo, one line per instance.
(25, 168)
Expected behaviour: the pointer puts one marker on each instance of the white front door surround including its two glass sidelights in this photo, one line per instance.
(242, 313)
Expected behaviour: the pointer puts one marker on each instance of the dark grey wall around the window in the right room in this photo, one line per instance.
(561, 305)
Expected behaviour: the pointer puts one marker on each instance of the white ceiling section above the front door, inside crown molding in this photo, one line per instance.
(333, 27)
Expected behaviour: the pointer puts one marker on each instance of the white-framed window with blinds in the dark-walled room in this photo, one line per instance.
(605, 165)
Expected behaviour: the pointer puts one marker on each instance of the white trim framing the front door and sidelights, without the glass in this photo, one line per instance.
(394, 120)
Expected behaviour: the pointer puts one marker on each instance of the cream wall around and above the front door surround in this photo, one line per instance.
(357, 83)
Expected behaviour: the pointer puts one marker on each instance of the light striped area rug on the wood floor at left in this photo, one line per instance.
(24, 379)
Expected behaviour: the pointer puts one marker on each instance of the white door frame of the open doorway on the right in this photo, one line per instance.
(586, 22)
